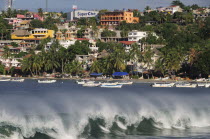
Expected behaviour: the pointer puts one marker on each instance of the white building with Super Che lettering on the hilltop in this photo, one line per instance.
(81, 14)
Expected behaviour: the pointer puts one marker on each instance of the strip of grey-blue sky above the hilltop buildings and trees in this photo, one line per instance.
(65, 5)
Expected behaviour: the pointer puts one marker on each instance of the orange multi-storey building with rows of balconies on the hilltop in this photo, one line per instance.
(114, 18)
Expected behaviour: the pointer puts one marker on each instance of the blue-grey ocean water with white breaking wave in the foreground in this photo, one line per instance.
(65, 110)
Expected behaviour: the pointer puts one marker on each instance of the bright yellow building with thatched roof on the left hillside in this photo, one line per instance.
(35, 34)
